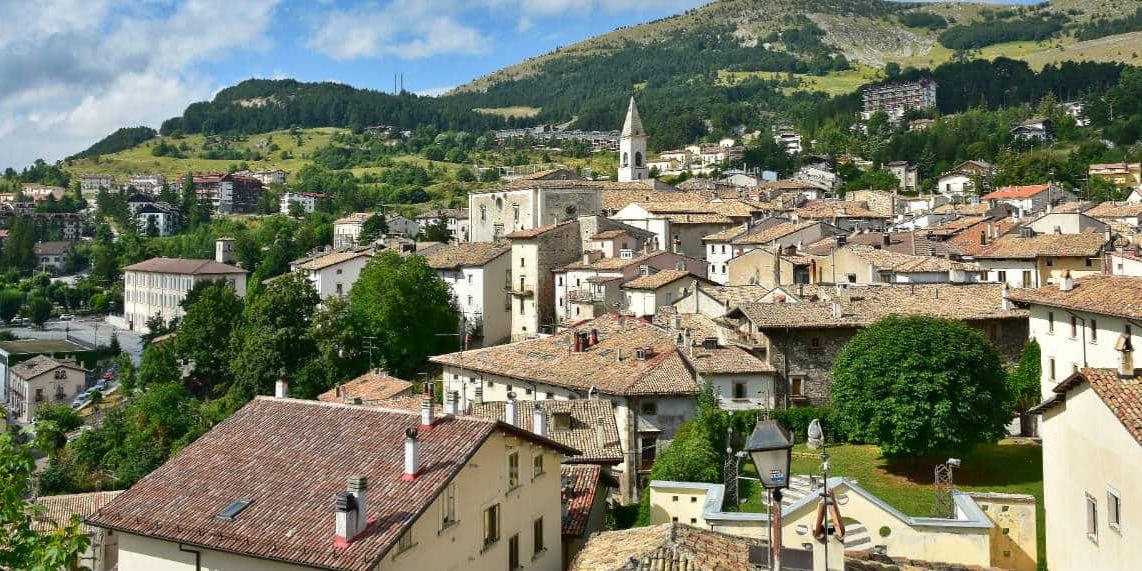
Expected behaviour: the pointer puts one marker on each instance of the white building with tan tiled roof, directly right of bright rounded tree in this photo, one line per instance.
(479, 274)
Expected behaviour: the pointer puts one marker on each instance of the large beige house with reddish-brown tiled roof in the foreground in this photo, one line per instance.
(465, 495)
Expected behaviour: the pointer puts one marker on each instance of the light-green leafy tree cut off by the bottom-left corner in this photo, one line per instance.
(23, 545)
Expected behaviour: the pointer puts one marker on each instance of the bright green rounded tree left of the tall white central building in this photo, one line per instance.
(403, 304)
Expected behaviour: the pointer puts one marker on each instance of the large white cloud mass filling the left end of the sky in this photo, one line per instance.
(76, 70)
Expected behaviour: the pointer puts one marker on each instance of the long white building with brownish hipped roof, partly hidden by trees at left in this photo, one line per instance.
(158, 287)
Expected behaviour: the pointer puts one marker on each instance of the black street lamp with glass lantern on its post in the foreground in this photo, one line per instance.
(771, 449)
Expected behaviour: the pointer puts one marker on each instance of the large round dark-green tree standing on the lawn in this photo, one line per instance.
(916, 385)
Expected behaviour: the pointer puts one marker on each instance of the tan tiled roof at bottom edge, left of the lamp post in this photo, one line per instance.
(669, 546)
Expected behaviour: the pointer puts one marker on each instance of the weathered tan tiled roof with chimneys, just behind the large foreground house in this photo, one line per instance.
(583, 417)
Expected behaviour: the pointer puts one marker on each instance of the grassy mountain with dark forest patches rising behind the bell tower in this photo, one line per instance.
(734, 51)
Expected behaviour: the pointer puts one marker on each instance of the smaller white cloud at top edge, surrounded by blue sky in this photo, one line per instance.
(407, 29)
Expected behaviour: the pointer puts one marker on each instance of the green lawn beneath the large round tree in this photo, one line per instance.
(1009, 468)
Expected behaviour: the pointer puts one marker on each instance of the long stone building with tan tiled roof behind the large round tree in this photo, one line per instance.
(802, 335)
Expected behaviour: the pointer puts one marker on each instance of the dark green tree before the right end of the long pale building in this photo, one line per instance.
(213, 312)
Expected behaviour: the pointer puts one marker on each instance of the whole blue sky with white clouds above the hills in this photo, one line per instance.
(74, 71)
